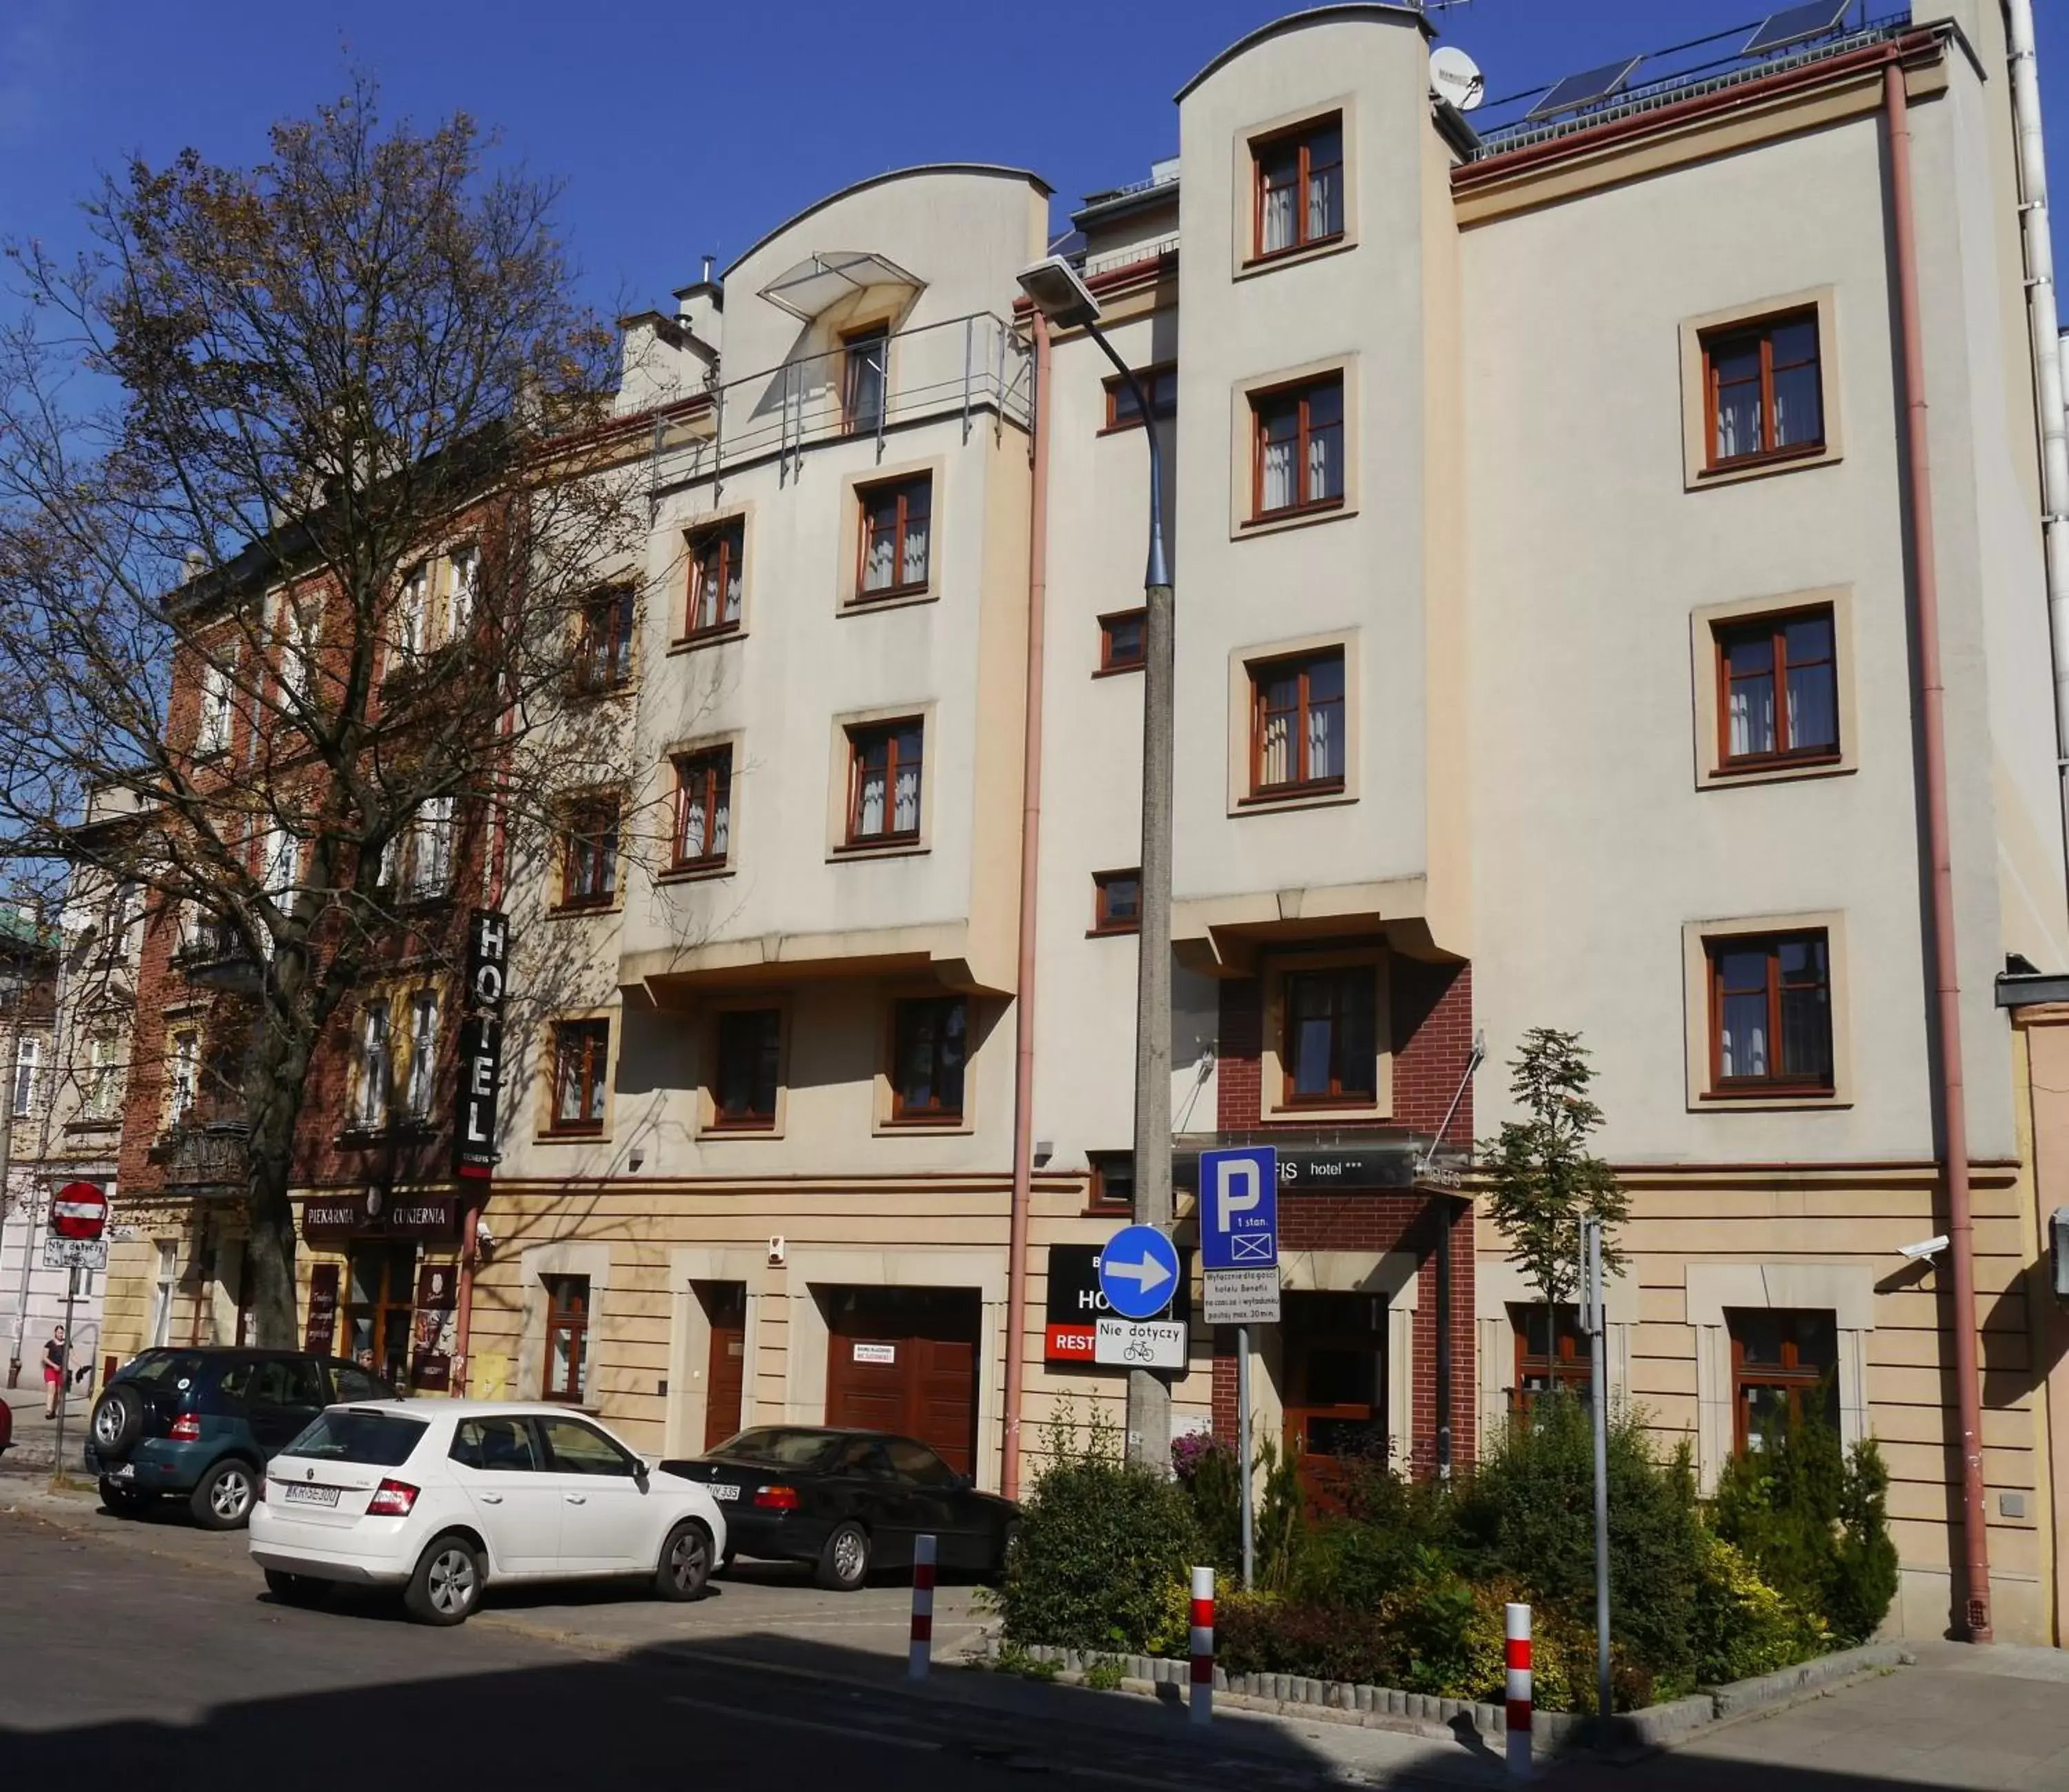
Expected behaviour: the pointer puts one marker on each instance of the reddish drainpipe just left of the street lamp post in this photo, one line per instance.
(1017, 1247)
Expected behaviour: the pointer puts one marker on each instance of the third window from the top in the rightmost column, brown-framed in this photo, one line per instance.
(1770, 1015)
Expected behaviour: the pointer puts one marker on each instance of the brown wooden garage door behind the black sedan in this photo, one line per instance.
(905, 1361)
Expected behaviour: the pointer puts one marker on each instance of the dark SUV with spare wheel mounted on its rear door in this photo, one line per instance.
(204, 1421)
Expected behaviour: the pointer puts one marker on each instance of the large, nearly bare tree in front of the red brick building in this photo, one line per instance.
(313, 531)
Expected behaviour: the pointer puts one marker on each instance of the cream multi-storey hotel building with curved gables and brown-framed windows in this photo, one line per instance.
(1545, 659)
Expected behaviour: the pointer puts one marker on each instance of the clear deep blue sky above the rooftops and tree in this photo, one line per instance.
(692, 129)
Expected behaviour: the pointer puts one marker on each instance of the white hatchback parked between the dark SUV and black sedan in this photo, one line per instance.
(446, 1497)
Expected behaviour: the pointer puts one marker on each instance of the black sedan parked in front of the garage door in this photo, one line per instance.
(849, 1501)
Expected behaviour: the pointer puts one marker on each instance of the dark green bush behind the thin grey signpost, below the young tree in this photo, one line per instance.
(1528, 1518)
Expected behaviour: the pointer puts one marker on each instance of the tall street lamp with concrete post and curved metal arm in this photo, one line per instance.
(1069, 303)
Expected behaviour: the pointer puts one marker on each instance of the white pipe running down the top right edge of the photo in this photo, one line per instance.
(2047, 365)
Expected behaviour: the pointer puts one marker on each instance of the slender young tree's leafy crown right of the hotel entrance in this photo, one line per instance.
(1542, 1178)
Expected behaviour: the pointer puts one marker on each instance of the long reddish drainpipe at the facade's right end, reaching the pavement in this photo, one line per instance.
(1946, 967)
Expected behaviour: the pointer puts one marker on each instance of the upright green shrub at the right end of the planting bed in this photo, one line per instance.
(1816, 1524)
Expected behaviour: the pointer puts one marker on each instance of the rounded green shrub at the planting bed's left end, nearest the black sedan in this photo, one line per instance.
(1104, 1553)
